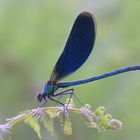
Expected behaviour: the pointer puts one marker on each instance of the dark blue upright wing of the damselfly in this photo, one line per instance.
(78, 47)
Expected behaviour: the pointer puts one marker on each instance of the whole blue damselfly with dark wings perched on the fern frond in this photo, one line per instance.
(77, 49)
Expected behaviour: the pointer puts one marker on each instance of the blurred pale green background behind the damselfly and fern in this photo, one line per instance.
(32, 36)
